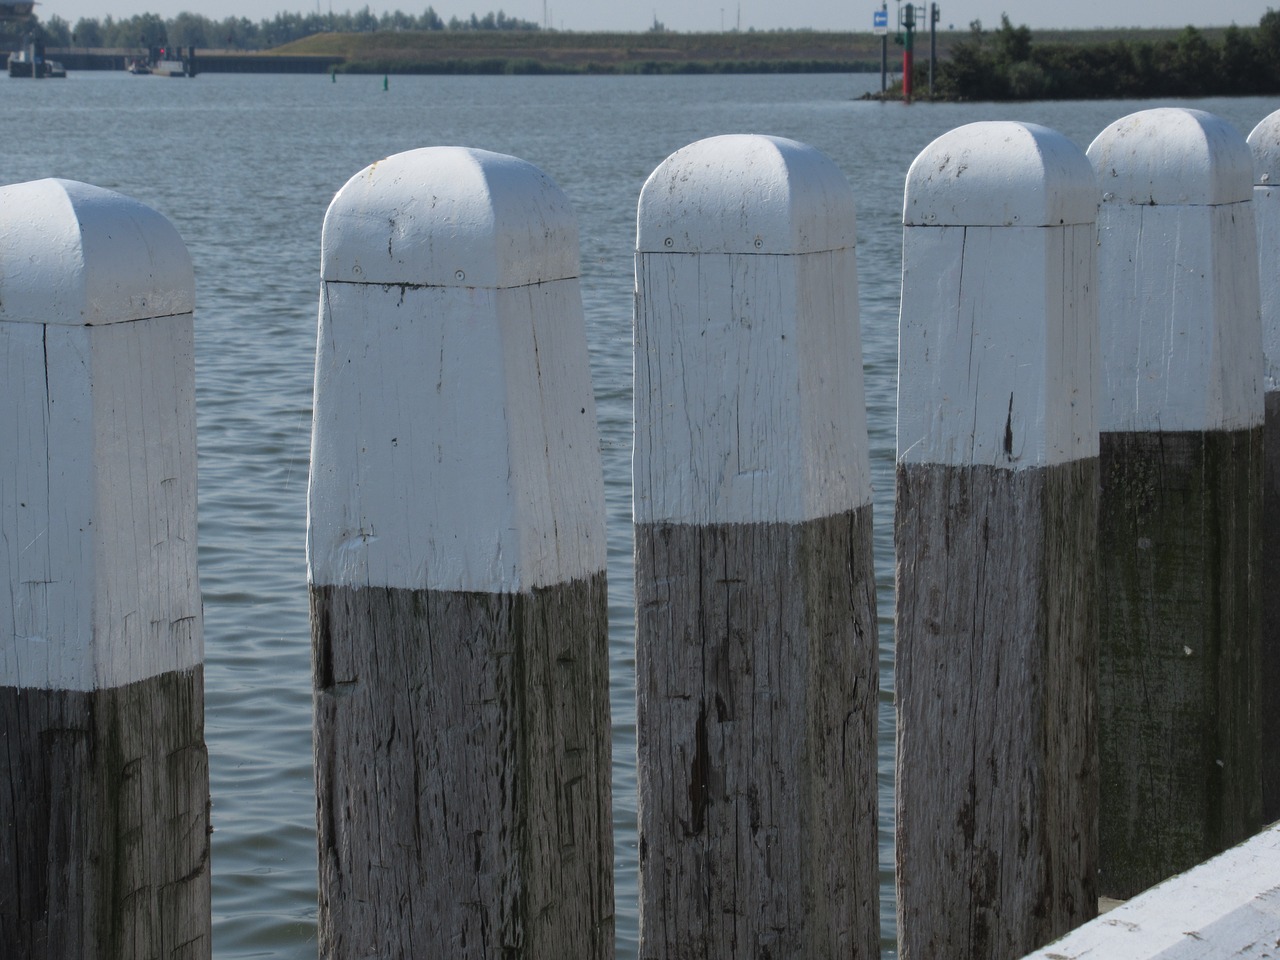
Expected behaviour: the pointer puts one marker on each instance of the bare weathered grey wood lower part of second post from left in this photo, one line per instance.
(463, 753)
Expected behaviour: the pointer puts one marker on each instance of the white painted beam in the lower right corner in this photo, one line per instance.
(1226, 908)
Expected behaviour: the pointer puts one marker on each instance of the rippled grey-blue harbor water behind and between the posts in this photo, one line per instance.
(245, 167)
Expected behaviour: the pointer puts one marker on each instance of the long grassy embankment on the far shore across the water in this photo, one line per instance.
(543, 52)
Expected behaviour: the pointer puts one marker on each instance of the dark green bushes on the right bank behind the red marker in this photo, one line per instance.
(1005, 65)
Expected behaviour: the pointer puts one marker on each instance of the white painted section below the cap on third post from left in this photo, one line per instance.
(749, 400)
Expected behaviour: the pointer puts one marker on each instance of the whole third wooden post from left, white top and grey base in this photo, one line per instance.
(756, 606)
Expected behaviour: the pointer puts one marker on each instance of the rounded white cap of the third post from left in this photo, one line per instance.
(746, 194)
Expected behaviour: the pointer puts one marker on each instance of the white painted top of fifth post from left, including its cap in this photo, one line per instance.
(1178, 275)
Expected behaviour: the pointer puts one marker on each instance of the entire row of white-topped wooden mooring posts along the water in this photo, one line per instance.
(1082, 679)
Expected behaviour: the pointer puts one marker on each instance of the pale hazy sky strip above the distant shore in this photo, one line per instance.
(702, 16)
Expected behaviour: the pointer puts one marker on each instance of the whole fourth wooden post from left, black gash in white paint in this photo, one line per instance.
(995, 534)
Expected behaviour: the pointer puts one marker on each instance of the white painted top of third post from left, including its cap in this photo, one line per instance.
(749, 401)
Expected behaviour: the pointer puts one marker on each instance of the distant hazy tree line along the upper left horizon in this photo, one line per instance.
(149, 30)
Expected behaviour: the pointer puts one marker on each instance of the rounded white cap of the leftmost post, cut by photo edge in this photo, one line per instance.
(84, 257)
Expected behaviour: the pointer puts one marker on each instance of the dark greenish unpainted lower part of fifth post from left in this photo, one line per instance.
(1180, 651)
